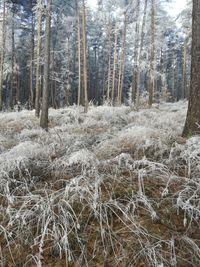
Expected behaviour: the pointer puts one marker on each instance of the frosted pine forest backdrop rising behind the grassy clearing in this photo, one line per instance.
(111, 53)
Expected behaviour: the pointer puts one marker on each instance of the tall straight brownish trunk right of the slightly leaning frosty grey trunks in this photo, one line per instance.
(152, 54)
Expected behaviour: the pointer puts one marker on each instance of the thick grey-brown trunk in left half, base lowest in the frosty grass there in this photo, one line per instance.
(45, 98)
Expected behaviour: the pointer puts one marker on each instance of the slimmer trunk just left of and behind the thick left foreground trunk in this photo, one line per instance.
(38, 67)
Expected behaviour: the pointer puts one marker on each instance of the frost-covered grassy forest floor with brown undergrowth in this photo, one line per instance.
(113, 187)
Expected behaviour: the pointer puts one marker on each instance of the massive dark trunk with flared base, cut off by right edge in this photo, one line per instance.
(192, 124)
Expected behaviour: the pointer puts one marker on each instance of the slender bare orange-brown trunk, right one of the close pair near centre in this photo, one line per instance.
(85, 59)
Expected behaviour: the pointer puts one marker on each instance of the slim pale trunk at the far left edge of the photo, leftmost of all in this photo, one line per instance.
(3, 38)
